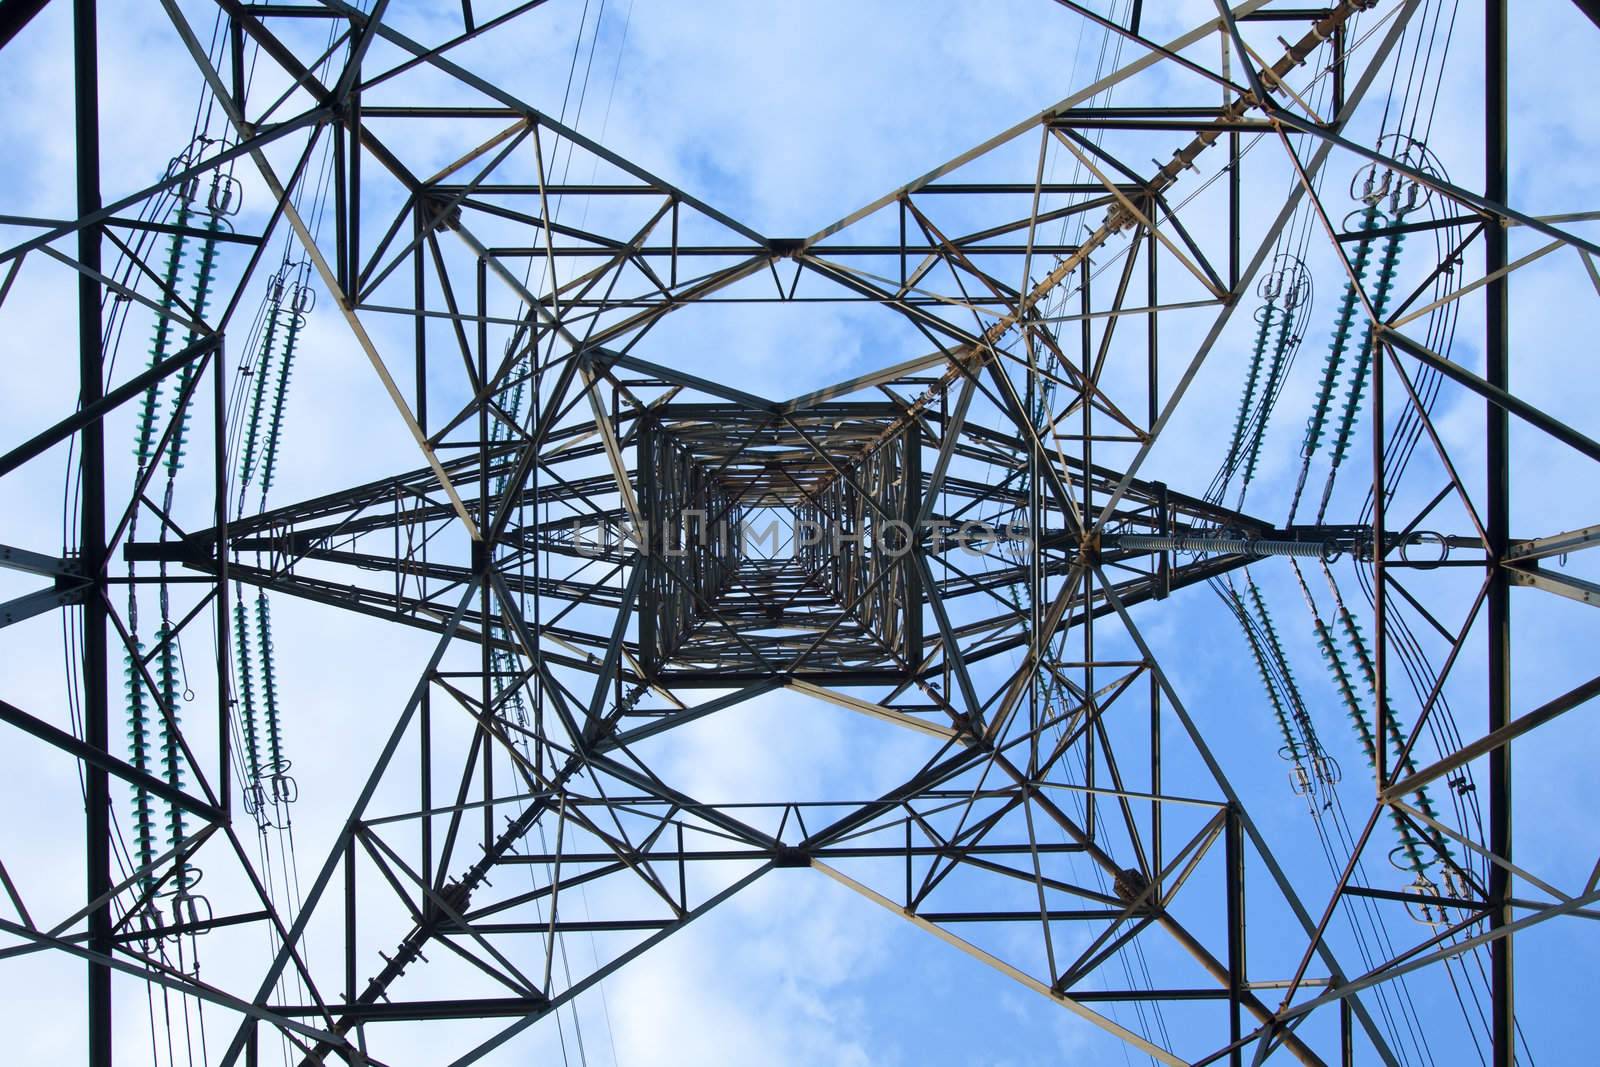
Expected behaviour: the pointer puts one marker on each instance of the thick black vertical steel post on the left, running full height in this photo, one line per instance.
(92, 533)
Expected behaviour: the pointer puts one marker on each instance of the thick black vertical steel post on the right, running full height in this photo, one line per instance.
(1498, 527)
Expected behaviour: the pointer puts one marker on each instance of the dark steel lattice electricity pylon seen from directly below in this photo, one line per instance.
(969, 541)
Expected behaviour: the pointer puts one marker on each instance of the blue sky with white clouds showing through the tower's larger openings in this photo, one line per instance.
(788, 119)
